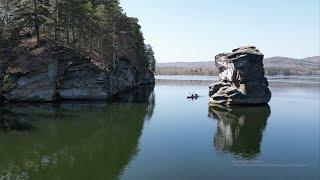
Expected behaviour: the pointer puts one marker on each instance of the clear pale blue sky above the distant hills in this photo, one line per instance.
(197, 30)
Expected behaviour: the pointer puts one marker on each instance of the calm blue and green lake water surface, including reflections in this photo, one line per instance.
(159, 134)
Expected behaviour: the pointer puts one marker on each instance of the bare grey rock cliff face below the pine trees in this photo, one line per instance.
(45, 74)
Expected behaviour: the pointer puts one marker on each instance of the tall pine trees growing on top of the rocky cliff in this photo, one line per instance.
(83, 25)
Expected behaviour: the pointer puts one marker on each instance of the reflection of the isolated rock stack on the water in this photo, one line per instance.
(239, 129)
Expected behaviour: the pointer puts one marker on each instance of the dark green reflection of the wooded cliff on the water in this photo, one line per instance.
(72, 140)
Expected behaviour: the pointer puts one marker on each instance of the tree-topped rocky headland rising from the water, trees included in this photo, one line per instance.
(97, 53)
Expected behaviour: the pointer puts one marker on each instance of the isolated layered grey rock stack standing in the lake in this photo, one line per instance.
(242, 78)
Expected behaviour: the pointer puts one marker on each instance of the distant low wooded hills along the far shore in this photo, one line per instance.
(274, 66)
